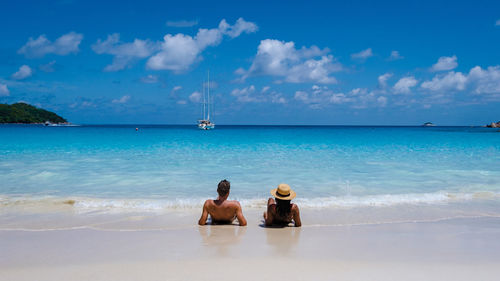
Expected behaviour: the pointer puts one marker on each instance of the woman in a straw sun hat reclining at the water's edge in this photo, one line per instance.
(281, 212)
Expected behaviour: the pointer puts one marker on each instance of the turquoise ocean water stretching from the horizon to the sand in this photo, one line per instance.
(158, 168)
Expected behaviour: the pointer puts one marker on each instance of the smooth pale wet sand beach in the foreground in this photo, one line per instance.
(449, 249)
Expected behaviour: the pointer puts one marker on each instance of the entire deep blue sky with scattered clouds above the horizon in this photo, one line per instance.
(271, 62)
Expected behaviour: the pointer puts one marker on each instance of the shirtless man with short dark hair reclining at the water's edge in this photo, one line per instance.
(221, 210)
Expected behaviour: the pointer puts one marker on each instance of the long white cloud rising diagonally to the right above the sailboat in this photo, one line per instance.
(178, 52)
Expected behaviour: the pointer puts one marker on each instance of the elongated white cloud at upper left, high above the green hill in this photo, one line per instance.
(64, 45)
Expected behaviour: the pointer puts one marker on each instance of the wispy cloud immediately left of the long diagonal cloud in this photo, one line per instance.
(124, 53)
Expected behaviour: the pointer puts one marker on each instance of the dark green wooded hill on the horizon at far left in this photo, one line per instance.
(25, 113)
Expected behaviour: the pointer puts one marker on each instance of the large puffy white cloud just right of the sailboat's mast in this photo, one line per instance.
(282, 59)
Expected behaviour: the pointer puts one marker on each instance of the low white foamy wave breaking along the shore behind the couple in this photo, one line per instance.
(88, 204)
